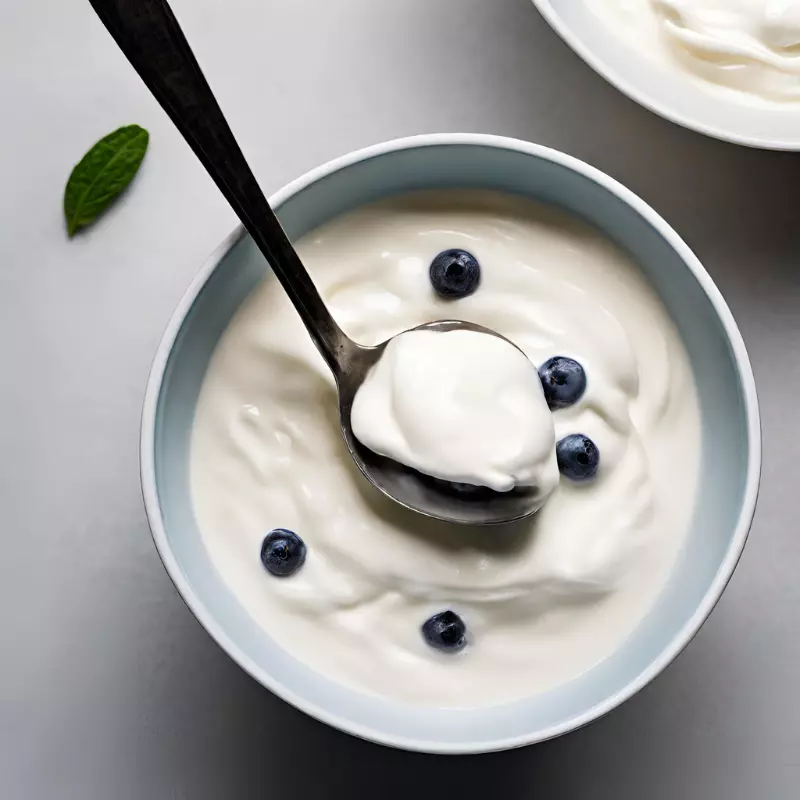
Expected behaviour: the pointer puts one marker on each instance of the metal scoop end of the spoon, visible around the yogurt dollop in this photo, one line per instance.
(428, 496)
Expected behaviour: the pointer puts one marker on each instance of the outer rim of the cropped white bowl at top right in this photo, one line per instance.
(648, 101)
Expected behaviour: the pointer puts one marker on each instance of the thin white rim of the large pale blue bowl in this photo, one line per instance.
(673, 648)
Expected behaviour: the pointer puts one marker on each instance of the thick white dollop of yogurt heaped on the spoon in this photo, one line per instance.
(461, 406)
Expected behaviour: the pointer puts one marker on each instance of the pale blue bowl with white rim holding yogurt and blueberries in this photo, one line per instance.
(729, 413)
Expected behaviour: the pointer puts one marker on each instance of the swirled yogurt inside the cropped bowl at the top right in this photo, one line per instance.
(749, 46)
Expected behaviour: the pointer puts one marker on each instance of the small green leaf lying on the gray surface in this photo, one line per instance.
(102, 174)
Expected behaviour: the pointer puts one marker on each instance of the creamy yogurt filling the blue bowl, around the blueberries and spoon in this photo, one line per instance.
(544, 599)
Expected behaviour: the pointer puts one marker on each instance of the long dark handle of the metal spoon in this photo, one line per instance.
(151, 38)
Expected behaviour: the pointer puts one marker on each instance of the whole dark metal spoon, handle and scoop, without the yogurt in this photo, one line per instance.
(150, 37)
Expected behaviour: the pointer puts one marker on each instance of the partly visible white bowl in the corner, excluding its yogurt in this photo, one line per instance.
(669, 93)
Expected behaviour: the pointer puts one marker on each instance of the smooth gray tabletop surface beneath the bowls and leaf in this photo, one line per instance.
(108, 687)
